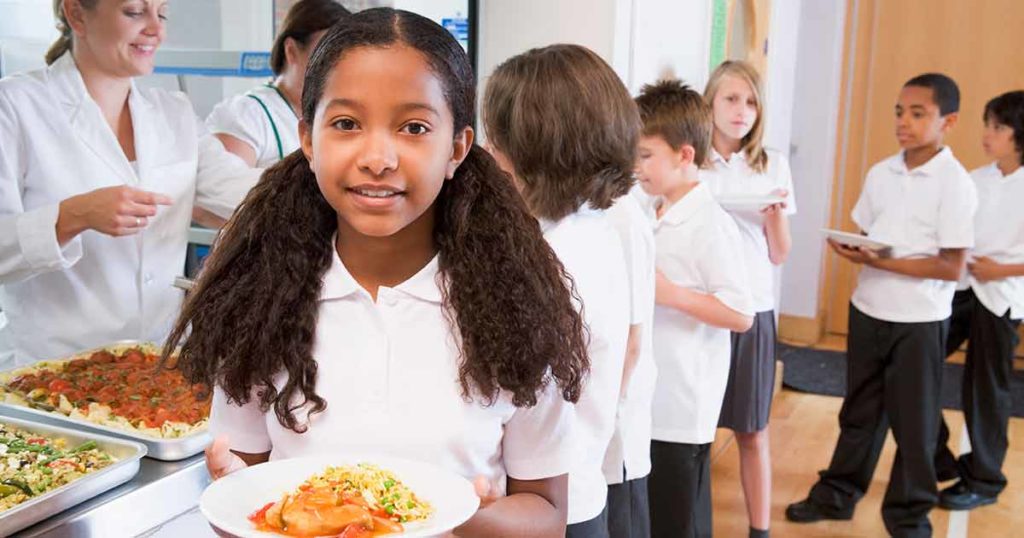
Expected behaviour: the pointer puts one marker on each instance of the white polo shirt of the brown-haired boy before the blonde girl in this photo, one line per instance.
(699, 247)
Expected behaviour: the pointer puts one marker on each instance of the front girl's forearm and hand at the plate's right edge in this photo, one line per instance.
(537, 508)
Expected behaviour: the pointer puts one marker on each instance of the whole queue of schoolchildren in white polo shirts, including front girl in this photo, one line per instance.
(568, 317)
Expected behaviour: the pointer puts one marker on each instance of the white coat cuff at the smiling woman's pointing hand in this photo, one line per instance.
(38, 237)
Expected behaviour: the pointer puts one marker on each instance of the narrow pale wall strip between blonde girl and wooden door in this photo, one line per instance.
(815, 120)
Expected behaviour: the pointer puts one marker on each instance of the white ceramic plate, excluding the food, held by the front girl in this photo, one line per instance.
(228, 503)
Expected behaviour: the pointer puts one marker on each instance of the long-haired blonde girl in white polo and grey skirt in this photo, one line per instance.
(742, 167)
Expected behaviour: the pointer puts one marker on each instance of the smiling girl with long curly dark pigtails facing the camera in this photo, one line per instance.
(386, 292)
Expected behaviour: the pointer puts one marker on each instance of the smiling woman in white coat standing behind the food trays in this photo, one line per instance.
(98, 182)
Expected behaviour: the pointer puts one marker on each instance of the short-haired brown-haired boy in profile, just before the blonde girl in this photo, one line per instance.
(702, 295)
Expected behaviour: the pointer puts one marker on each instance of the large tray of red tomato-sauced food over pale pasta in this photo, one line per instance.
(117, 390)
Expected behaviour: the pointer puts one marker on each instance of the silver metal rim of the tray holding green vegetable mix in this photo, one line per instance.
(129, 454)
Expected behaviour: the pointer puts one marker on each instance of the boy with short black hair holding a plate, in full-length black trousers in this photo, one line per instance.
(922, 202)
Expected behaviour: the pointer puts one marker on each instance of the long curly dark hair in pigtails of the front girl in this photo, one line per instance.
(253, 312)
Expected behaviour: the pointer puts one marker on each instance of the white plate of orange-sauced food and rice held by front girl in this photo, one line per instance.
(348, 498)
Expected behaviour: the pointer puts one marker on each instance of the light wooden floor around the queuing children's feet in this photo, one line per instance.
(803, 431)
